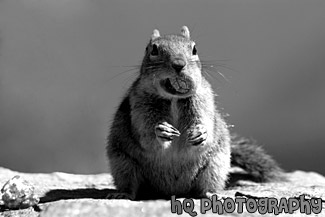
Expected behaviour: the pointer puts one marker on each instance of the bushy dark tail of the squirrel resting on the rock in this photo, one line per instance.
(259, 166)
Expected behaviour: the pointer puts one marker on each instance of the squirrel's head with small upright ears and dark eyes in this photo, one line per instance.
(171, 65)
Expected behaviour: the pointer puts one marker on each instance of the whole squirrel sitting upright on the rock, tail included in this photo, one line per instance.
(168, 137)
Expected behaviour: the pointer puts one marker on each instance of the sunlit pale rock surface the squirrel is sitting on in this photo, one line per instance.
(63, 194)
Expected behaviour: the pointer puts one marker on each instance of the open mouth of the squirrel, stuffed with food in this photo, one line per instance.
(176, 86)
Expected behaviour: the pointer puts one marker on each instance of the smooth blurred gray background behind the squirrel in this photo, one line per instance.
(64, 69)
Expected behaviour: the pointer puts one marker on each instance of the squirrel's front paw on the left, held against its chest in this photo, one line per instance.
(165, 132)
